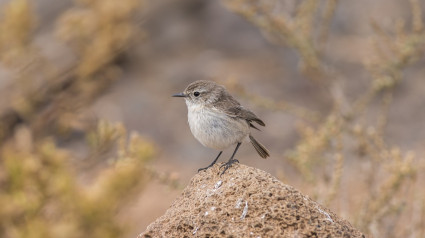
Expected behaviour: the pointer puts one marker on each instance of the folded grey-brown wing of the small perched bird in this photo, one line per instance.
(234, 109)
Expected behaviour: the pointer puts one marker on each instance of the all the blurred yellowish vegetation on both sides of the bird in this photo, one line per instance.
(50, 191)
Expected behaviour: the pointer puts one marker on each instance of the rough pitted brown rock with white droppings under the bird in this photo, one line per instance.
(246, 202)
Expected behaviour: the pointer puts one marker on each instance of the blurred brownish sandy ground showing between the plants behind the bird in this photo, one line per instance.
(190, 40)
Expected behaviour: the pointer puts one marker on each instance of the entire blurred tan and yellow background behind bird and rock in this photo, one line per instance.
(93, 144)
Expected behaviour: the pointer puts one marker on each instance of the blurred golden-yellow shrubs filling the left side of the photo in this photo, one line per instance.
(42, 191)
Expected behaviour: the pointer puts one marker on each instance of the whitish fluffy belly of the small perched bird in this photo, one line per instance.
(216, 130)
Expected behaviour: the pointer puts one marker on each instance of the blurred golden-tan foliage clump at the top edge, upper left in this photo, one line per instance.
(98, 31)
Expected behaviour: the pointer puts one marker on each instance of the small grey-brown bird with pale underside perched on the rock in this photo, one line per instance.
(218, 121)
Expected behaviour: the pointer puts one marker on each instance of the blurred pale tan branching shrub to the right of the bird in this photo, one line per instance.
(389, 183)
